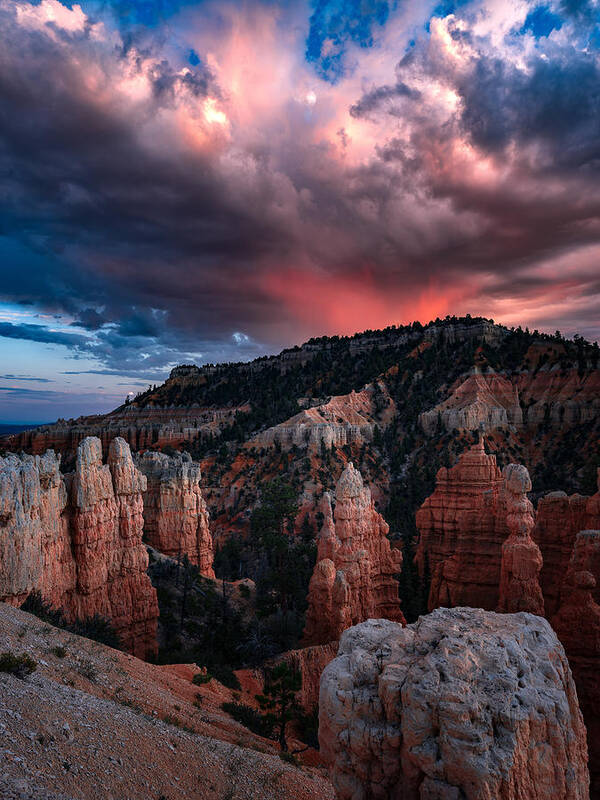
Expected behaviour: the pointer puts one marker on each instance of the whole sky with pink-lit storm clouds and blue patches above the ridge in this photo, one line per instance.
(187, 181)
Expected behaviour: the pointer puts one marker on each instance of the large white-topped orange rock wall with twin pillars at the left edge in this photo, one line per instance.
(78, 539)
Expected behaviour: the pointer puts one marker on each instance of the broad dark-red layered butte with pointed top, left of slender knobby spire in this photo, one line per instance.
(462, 528)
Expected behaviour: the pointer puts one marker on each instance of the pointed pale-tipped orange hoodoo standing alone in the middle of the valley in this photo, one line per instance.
(353, 579)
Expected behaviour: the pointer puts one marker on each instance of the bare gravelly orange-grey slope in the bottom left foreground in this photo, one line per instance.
(92, 723)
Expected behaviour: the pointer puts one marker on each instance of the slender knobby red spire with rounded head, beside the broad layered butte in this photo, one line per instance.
(521, 557)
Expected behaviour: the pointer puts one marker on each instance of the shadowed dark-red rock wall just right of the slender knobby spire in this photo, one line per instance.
(559, 519)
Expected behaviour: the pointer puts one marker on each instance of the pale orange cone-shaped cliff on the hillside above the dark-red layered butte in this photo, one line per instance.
(481, 402)
